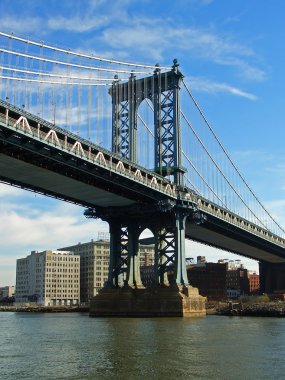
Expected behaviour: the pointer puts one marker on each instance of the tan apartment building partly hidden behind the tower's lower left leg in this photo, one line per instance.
(94, 264)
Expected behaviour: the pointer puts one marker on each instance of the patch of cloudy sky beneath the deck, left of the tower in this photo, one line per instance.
(28, 224)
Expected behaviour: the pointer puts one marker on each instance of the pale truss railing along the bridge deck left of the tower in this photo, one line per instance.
(58, 138)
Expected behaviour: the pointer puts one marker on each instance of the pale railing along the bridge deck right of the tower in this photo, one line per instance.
(213, 209)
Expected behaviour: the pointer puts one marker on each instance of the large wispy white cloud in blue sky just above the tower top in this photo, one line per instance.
(154, 38)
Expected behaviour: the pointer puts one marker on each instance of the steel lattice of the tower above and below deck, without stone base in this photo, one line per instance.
(162, 89)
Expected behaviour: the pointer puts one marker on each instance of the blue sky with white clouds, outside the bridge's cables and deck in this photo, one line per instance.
(230, 51)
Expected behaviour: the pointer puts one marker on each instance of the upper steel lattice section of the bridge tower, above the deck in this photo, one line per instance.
(162, 89)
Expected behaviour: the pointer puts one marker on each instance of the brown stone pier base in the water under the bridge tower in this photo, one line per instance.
(172, 301)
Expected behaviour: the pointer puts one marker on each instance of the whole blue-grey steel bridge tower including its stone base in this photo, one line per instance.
(166, 219)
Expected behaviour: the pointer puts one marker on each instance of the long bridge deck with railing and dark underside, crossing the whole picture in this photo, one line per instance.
(41, 157)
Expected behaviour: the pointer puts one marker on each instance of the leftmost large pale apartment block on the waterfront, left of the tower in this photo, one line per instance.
(48, 278)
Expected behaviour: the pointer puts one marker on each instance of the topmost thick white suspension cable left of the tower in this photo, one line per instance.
(82, 55)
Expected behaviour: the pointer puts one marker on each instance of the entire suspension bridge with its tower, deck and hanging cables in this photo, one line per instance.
(129, 142)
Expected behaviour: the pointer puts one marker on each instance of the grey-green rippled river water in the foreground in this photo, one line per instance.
(75, 346)
